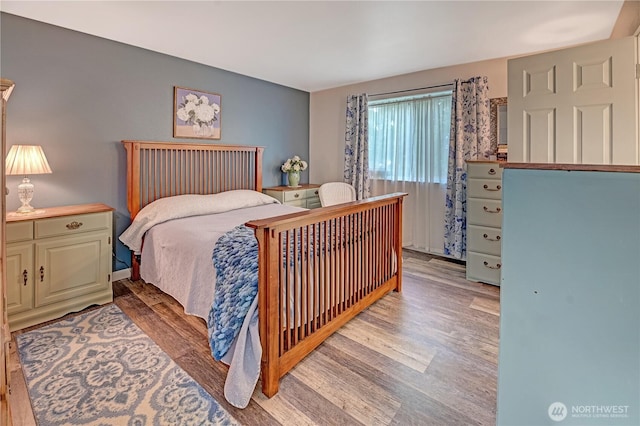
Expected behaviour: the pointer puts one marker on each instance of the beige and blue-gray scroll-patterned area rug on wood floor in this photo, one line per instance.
(99, 368)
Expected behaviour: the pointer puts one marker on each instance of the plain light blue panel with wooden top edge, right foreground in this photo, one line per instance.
(570, 295)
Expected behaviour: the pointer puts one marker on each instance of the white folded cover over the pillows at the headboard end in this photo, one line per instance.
(179, 206)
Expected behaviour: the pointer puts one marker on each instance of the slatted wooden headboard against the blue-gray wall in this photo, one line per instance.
(163, 169)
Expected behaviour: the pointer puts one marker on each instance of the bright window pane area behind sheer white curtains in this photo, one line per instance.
(409, 138)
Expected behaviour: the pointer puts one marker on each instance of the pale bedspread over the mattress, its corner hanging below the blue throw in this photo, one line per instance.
(177, 258)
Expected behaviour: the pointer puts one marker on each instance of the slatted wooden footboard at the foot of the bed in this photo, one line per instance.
(317, 270)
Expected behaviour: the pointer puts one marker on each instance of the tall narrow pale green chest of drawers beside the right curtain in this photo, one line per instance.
(484, 221)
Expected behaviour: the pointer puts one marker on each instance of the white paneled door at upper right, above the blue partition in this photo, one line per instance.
(577, 105)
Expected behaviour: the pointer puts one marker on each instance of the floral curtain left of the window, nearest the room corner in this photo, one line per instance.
(356, 151)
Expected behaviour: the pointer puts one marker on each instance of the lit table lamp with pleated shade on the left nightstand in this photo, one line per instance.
(26, 160)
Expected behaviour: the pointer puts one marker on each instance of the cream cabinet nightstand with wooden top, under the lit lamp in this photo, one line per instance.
(58, 261)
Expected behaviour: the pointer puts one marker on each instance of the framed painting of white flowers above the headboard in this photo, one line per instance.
(196, 114)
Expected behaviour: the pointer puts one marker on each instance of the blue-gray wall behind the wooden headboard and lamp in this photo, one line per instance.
(78, 96)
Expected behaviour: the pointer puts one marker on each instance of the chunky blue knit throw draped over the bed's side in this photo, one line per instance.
(235, 259)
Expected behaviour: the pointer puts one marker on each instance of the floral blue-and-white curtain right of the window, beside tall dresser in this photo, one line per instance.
(469, 141)
